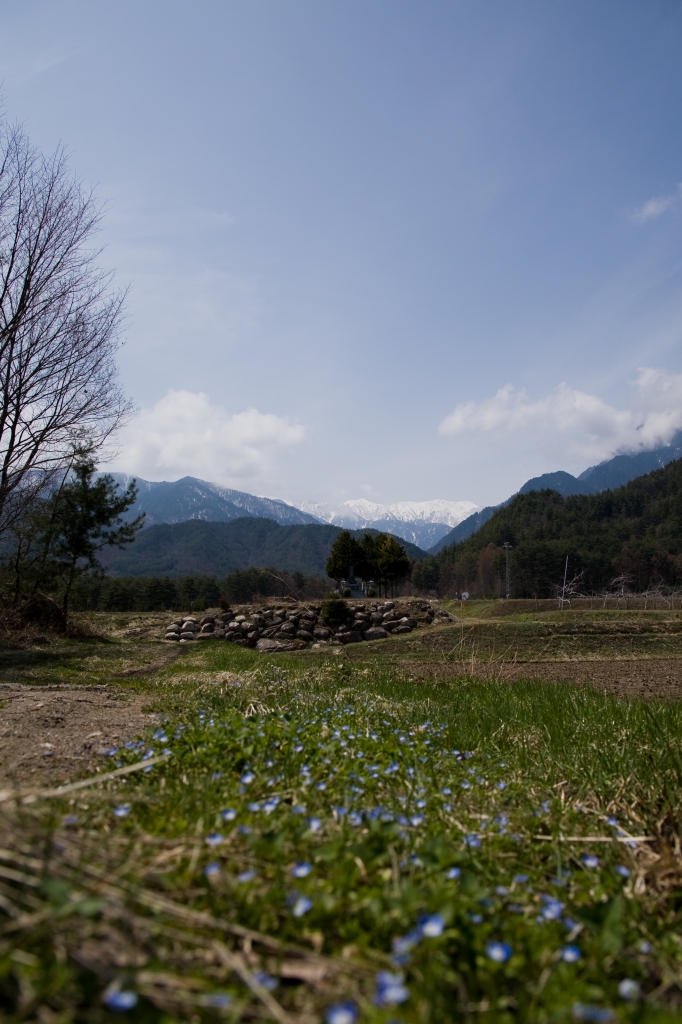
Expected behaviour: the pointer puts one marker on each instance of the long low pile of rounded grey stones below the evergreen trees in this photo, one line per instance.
(294, 626)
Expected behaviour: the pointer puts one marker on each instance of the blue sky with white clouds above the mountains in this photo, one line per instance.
(378, 249)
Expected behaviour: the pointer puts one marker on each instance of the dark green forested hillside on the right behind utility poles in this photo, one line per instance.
(635, 531)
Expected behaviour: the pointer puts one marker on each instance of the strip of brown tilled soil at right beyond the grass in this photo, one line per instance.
(642, 678)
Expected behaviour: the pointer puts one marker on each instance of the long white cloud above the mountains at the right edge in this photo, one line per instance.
(587, 426)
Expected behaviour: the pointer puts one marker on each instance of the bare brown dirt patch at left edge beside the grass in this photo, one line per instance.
(53, 736)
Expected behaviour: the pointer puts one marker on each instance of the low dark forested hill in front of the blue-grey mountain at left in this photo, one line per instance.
(219, 548)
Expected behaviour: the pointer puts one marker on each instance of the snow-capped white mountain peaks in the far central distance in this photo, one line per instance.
(422, 524)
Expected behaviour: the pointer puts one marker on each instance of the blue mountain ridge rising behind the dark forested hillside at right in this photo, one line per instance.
(613, 474)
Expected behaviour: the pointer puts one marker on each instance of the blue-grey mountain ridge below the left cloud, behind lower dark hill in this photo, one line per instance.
(192, 499)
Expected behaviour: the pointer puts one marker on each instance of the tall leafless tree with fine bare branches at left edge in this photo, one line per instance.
(60, 323)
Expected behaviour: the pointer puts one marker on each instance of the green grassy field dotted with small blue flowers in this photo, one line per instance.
(324, 838)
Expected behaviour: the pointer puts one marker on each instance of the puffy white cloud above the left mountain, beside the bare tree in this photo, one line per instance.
(185, 435)
